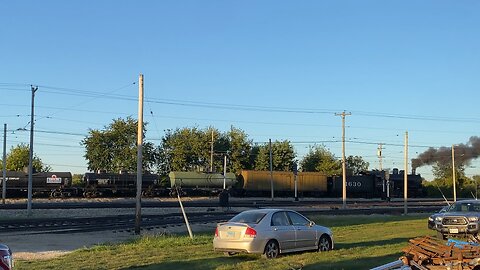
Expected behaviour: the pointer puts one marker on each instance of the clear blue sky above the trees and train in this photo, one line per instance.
(395, 65)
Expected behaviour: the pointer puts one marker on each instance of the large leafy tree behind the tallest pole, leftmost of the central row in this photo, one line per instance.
(115, 148)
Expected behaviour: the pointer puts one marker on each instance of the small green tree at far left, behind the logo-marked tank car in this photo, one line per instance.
(18, 159)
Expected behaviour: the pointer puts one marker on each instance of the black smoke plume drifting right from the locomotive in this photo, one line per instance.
(464, 153)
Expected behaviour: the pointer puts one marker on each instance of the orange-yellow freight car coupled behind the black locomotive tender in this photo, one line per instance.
(259, 183)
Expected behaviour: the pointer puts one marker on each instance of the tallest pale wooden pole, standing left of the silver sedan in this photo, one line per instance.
(138, 205)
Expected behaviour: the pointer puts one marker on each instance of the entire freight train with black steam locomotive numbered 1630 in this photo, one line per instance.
(373, 184)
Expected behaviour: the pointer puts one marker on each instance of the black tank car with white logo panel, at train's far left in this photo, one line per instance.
(53, 184)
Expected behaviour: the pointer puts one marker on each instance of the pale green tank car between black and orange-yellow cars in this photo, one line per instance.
(198, 183)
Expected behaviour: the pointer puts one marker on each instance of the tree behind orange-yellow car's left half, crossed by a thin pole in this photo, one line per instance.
(283, 156)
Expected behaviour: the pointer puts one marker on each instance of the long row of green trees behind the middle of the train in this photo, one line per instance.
(189, 149)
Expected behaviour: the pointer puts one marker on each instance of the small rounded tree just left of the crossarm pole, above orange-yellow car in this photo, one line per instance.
(320, 159)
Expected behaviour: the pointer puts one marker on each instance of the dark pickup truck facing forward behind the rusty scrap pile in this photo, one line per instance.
(461, 219)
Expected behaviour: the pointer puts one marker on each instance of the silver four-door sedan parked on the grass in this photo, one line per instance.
(271, 232)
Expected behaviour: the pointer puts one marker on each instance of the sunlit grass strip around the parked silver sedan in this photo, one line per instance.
(361, 242)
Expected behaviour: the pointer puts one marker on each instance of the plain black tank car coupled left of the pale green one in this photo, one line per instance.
(119, 184)
